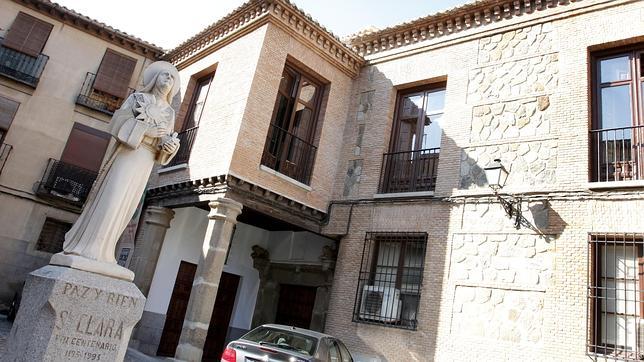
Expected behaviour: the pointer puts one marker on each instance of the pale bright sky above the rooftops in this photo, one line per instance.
(166, 24)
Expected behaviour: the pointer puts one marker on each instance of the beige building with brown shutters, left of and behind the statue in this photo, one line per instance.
(55, 123)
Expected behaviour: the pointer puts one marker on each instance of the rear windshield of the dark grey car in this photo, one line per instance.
(284, 339)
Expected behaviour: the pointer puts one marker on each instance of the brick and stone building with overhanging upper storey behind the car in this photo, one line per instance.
(354, 173)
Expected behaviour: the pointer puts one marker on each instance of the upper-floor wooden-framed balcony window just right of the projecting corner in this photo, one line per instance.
(412, 162)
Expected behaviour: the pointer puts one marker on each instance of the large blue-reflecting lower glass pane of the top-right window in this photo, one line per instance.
(616, 107)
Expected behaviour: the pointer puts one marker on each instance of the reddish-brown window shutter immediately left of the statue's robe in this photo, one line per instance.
(85, 147)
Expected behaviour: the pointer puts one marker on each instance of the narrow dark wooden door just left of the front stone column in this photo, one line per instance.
(177, 309)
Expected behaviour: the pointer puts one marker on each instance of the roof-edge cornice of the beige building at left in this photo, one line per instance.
(93, 27)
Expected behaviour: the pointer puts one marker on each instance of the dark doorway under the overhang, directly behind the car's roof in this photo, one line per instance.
(295, 306)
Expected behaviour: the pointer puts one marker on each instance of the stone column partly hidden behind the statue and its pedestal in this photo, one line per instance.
(156, 221)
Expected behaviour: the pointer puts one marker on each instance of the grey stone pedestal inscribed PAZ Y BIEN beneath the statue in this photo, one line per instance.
(73, 315)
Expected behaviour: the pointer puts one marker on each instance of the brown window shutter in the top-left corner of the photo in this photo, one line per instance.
(28, 35)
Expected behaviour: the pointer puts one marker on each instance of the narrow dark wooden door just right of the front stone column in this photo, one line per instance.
(220, 319)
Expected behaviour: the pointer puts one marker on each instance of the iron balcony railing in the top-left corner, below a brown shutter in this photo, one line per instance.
(21, 67)
